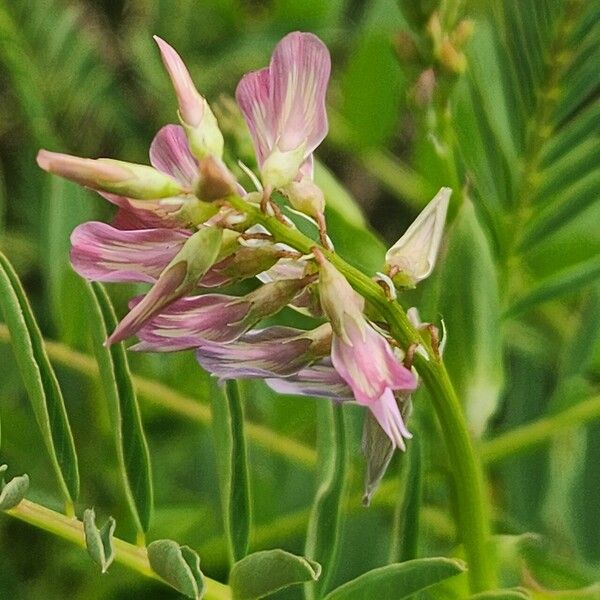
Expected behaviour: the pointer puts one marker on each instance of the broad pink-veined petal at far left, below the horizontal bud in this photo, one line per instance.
(102, 253)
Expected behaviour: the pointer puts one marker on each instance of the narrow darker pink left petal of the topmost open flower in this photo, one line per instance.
(253, 96)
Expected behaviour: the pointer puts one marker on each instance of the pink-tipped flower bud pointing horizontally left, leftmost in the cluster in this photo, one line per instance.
(103, 174)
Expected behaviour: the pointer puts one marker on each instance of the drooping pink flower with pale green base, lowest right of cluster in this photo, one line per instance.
(362, 356)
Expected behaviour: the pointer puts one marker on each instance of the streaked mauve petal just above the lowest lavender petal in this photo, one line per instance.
(190, 322)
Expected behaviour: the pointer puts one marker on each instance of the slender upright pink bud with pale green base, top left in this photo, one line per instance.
(198, 120)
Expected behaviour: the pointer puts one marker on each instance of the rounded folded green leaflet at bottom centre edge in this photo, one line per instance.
(263, 573)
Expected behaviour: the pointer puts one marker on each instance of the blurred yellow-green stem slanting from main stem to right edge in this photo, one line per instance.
(533, 434)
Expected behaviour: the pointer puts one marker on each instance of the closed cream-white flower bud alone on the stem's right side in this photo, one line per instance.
(412, 258)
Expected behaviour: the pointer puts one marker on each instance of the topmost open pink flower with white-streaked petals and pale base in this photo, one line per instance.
(284, 106)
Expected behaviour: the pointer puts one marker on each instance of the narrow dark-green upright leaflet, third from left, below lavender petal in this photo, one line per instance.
(228, 425)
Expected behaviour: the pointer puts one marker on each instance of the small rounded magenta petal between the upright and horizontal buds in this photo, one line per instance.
(170, 153)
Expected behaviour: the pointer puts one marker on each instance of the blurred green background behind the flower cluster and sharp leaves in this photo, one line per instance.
(498, 100)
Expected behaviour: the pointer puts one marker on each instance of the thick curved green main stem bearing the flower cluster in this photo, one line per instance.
(468, 477)
